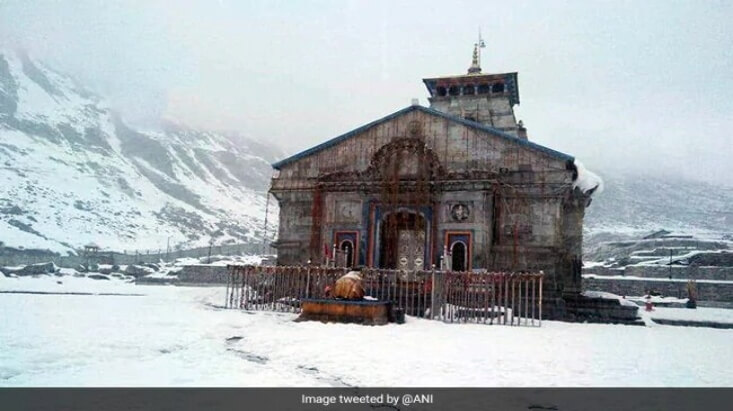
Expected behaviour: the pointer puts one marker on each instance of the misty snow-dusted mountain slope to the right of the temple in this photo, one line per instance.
(632, 204)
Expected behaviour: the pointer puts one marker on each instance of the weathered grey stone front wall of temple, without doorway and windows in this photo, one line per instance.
(524, 213)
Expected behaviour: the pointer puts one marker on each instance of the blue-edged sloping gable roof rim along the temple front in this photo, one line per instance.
(471, 124)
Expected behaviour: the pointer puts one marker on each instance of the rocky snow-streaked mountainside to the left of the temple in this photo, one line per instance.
(72, 172)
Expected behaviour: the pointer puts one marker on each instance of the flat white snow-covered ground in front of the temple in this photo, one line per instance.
(177, 336)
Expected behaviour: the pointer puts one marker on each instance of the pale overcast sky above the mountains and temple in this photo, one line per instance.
(644, 84)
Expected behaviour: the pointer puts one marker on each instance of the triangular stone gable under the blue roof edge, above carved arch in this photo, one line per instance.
(458, 148)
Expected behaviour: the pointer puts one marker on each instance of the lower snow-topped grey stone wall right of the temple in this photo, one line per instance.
(722, 292)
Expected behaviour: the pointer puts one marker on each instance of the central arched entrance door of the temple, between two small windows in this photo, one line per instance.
(402, 244)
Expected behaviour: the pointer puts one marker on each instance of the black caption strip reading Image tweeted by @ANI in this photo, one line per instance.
(284, 399)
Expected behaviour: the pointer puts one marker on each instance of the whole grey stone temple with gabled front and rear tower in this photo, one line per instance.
(456, 185)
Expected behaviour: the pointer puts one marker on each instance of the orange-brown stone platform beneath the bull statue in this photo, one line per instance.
(345, 311)
